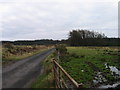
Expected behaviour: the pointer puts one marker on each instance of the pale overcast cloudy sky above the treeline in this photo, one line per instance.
(54, 19)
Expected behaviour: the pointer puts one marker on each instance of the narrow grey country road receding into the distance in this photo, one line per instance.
(22, 73)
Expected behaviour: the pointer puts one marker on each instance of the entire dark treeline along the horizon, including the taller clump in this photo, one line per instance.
(76, 38)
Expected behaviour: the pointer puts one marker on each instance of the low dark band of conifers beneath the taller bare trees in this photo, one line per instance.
(96, 42)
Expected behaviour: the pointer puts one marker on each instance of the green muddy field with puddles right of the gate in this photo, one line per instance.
(93, 66)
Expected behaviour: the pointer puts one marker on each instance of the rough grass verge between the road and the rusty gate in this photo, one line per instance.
(47, 79)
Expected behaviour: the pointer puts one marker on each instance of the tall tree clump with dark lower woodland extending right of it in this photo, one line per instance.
(91, 38)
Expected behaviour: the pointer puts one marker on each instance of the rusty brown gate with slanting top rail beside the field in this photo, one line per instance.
(61, 76)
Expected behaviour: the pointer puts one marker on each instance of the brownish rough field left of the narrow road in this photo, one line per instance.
(17, 52)
